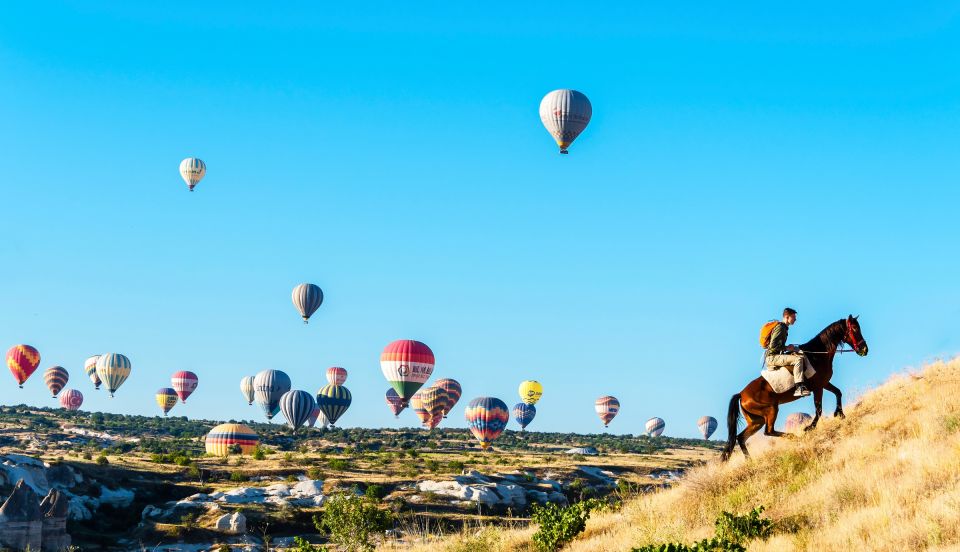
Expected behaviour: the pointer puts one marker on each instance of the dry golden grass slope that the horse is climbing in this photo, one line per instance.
(886, 478)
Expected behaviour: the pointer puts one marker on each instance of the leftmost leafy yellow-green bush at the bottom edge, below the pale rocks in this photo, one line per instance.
(351, 522)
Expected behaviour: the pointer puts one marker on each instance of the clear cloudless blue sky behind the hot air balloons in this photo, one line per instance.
(740, 159)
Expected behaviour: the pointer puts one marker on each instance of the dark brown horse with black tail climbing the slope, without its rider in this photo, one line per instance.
(760, 404)
